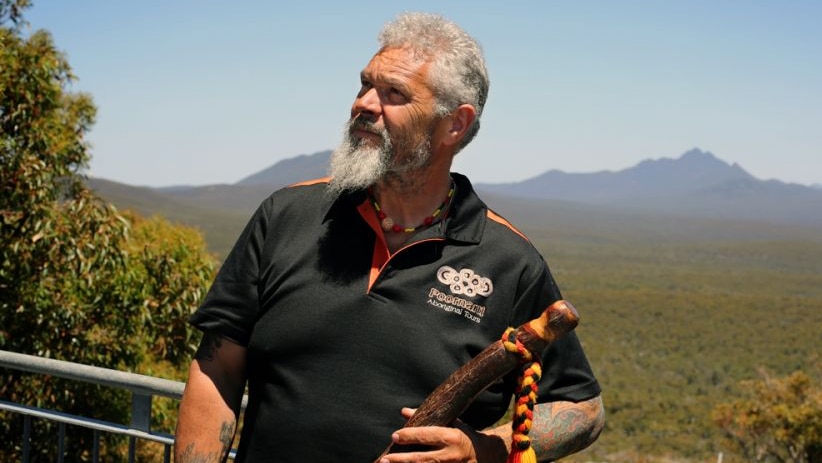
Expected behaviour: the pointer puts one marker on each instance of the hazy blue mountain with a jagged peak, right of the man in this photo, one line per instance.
(696, 184)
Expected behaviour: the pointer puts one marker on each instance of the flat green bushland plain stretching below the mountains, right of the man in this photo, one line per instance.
(673, 324)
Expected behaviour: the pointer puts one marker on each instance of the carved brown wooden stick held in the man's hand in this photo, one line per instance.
(450, 399)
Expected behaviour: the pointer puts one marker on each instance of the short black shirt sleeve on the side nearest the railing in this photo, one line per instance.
(231, 305)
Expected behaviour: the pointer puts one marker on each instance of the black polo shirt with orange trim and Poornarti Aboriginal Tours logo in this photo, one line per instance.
(340, 336)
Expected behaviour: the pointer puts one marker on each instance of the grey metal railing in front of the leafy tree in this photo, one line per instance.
(143, 388)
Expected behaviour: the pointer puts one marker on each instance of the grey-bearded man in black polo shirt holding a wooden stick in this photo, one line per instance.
(348, 299)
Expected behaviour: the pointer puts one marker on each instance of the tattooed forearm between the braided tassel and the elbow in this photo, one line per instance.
(560, 431)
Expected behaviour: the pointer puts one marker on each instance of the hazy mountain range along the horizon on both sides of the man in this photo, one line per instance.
(696, 185)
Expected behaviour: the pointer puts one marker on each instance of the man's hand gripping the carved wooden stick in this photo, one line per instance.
(447, 445)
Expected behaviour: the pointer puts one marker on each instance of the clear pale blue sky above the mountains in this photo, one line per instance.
(202, 92)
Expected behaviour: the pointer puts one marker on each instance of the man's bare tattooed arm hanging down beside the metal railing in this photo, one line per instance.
(211, 402)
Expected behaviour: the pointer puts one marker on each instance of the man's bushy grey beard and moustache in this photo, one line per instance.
(356, 165)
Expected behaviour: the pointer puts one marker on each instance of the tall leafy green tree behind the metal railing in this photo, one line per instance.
(78, 280)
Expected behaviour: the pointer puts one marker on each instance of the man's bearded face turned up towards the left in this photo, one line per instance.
(392, 122)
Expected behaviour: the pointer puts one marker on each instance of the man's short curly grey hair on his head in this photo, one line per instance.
(457, 74)
